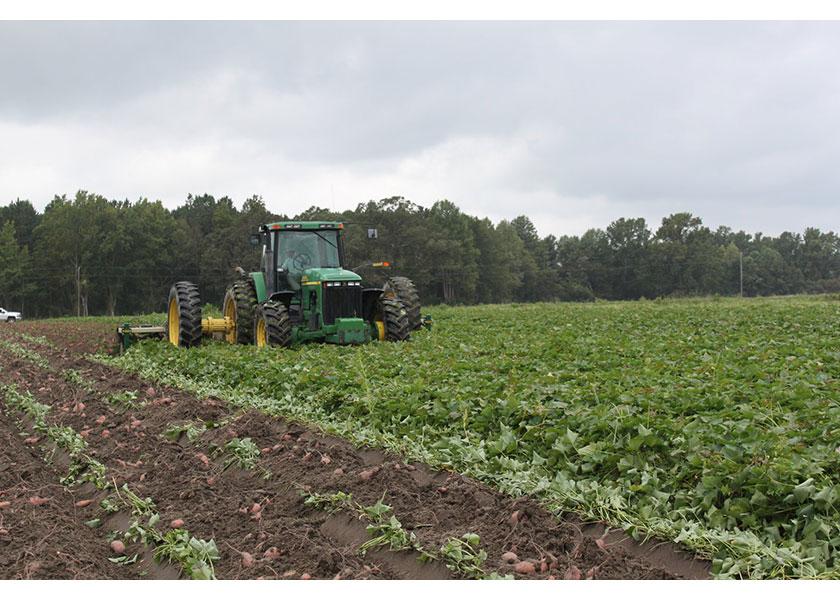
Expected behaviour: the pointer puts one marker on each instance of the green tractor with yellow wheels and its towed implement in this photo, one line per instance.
(302, 293)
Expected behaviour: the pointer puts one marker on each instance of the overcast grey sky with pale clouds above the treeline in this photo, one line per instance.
(573, 124)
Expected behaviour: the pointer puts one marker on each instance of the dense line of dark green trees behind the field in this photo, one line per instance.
(90, 255)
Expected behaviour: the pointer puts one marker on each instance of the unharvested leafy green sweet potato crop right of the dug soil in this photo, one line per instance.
(712, 423)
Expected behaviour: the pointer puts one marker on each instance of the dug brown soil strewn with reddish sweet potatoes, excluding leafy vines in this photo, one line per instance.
(283, 537)
